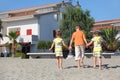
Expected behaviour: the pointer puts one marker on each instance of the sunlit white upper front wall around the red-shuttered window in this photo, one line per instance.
(24, 25)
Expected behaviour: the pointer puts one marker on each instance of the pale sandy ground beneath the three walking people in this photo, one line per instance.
(45, 69)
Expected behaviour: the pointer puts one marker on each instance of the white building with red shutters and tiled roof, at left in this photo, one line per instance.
(33, 24)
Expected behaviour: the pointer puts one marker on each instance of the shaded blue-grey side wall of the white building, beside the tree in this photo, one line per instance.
(47, 23)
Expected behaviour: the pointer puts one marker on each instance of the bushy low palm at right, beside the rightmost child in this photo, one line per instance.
(109, 36)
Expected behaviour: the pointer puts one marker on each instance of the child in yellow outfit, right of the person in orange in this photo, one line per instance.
(97, 50)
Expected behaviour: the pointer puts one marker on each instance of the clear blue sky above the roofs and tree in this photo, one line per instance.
(100, 10)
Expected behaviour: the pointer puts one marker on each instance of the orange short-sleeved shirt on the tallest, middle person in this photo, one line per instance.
(78, 38)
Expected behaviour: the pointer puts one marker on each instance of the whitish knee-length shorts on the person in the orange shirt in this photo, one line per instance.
(79, 52)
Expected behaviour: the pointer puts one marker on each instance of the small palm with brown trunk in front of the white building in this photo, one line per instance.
(13, 36)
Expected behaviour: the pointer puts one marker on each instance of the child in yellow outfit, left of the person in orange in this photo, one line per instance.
(58, 42)
